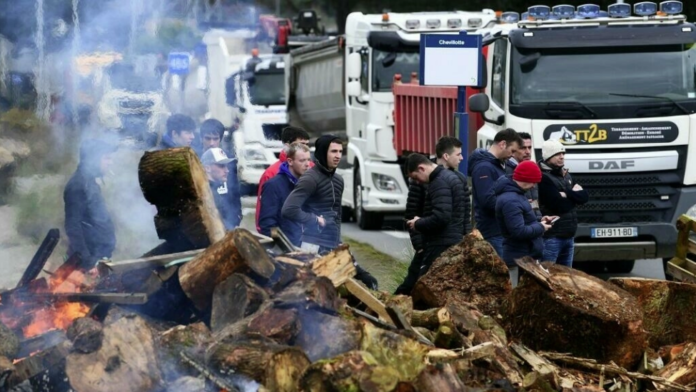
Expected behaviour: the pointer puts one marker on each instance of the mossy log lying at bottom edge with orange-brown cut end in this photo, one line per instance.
(277, 367)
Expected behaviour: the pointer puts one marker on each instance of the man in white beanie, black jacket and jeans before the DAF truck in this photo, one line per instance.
(559, 195)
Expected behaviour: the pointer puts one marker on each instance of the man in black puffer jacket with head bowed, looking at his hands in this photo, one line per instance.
(442, 223)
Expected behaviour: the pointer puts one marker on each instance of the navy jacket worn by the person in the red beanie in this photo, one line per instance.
(519, 226)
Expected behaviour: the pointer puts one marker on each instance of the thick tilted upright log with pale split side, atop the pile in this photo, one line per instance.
(176, 183)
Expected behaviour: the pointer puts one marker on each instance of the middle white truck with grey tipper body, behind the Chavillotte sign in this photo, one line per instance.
(343, 86)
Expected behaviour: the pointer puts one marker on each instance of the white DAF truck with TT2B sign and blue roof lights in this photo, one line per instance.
(619, 90)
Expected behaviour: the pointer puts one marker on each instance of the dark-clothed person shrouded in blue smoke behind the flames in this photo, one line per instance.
(88, 223)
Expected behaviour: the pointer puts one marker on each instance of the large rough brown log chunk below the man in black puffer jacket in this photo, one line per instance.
(470, 272)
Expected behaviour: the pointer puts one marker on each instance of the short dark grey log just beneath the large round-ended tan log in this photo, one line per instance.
(235, 298)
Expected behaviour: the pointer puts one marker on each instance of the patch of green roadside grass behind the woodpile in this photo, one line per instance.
(389, 271)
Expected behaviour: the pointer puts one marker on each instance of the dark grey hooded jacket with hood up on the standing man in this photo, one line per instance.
(318, 193)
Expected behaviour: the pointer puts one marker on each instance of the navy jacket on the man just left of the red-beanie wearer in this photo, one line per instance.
(484, 170)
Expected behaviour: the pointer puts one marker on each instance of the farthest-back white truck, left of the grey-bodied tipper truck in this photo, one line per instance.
(246, 92)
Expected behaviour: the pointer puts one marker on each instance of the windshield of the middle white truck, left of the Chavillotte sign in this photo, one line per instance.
(387, 64)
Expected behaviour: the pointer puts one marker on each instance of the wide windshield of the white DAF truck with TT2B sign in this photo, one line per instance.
(604, 76)
